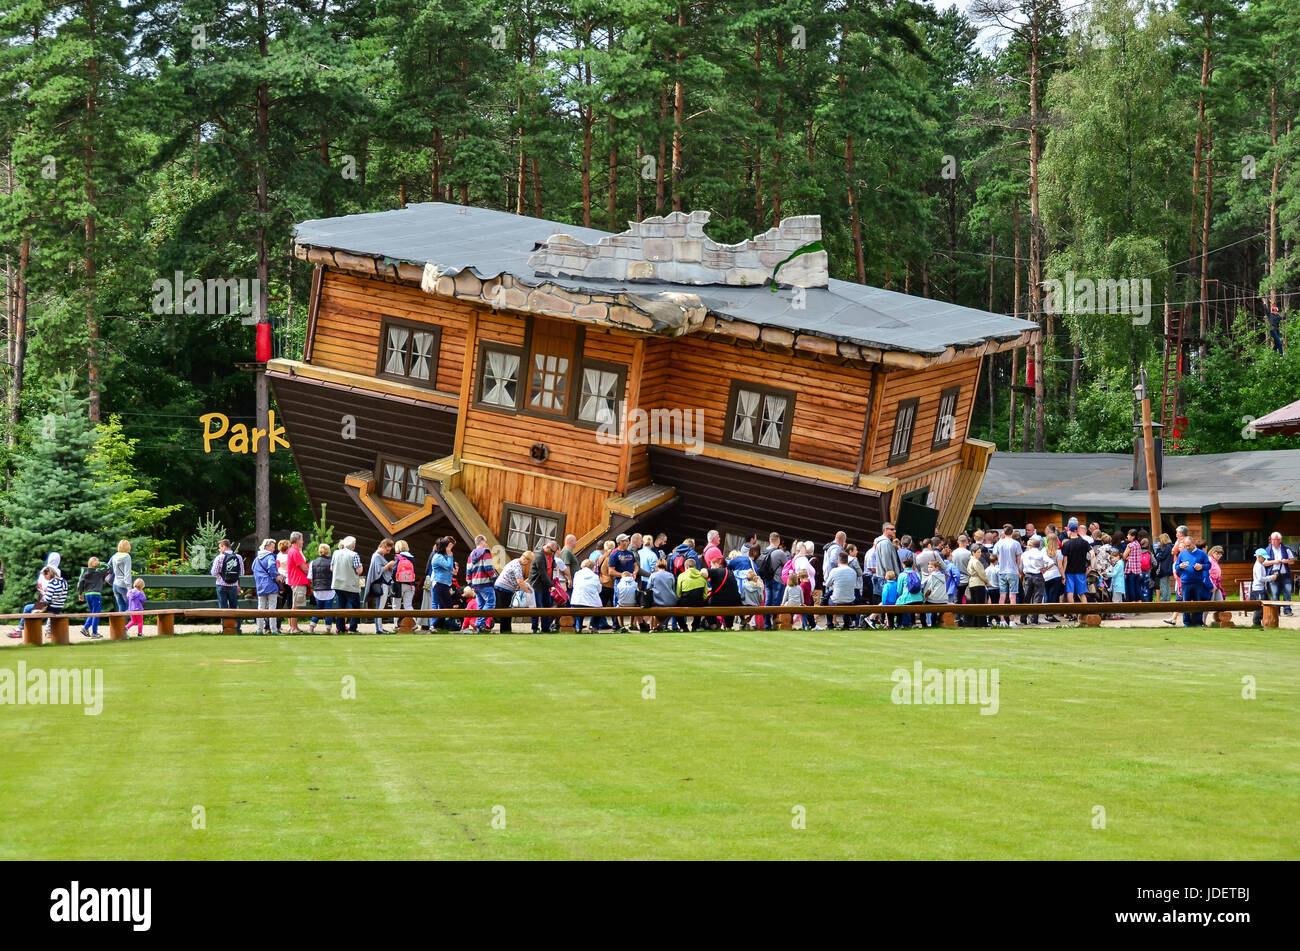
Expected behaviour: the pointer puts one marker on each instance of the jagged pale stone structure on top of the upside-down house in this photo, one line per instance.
(674, 249)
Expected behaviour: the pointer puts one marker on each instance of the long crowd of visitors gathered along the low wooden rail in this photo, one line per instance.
(1060, 568)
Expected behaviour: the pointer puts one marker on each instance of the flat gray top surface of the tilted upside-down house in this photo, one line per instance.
(492, 244)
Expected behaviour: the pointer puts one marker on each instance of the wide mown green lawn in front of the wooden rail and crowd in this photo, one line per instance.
(1149, 724)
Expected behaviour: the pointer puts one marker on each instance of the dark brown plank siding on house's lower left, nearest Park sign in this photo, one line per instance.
(313, 416)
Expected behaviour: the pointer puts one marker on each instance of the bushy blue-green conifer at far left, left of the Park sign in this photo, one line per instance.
(60, 501)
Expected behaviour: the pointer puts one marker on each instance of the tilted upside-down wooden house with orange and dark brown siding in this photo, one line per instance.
(475, 372)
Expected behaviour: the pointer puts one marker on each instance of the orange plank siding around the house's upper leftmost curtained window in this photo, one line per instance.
(348, 324)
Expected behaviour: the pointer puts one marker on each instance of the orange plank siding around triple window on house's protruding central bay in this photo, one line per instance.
(506, 440)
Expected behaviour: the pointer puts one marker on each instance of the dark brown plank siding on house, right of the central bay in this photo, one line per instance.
(716, 494)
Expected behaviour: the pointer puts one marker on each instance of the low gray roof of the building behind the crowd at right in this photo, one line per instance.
(1100, 481)
